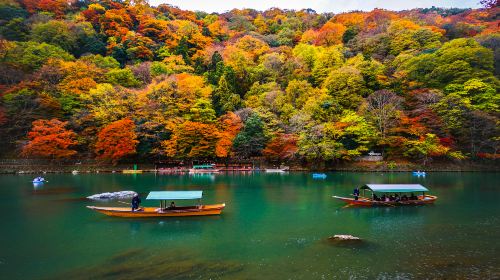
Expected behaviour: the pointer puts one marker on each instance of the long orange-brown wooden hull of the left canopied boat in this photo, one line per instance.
(145, 212)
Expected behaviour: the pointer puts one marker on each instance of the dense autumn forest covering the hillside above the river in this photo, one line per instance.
(121, 79)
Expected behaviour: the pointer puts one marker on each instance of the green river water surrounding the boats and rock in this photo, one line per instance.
(275, 226)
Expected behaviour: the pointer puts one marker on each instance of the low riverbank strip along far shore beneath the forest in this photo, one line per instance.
(356, 166)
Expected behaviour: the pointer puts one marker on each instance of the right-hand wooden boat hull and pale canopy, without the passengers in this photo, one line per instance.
(390, 189)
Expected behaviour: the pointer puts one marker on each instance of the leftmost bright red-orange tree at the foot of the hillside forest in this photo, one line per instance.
(50, 139)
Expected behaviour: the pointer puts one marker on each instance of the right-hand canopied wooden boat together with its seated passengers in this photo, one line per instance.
(390, 195)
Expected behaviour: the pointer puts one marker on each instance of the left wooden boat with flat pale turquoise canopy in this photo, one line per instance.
(164, 210)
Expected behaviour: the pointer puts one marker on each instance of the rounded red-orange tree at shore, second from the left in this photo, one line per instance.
(116, 140)
